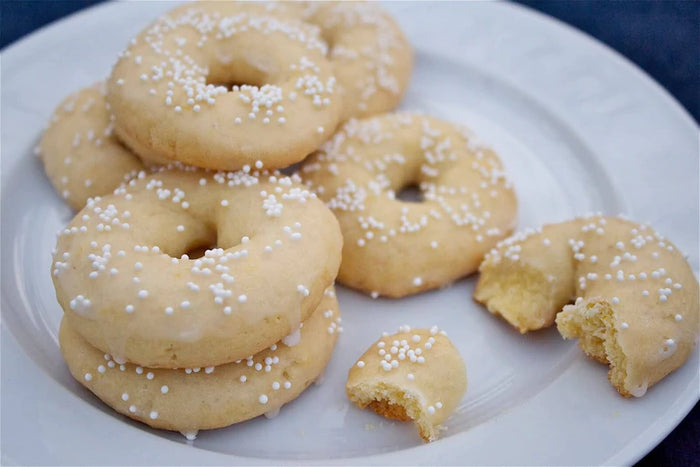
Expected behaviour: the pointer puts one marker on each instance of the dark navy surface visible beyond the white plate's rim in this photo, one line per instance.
(661, 36)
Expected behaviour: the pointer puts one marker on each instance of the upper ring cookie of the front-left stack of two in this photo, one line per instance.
(126, 284)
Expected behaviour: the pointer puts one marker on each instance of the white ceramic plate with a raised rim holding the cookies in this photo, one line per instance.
(579, 129)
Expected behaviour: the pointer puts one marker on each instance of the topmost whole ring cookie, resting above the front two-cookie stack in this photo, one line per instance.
(171, 95)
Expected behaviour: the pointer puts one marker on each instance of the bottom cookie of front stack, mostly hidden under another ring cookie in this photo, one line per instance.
(192, 399)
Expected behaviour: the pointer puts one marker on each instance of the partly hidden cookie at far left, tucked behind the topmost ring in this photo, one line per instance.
(82, 157)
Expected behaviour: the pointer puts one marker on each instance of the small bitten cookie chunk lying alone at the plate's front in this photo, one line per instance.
(411, 375)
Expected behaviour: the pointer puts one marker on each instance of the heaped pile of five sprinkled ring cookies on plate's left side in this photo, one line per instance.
(197, 280)
